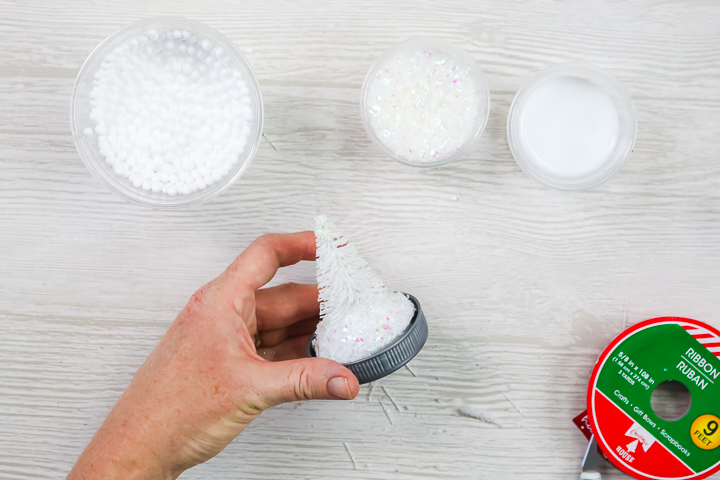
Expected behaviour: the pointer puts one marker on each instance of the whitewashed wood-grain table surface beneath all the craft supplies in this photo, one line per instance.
(522, 285)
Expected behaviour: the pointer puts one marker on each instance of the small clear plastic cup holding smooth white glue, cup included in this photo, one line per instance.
(571, 126)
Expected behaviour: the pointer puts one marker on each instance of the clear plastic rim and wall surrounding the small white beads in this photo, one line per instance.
(87, 145)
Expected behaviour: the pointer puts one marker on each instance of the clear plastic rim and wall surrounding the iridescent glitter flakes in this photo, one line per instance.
(439, 48)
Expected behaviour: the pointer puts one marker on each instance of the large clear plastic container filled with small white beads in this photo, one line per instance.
(200, 150)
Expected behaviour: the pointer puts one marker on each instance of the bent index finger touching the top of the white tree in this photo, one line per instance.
(258, 264)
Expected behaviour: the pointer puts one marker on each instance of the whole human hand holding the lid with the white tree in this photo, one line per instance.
(206, 381)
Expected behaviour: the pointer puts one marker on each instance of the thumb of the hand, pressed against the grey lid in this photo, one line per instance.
(308, 379)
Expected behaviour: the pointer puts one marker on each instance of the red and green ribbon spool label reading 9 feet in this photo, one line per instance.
(629, 432)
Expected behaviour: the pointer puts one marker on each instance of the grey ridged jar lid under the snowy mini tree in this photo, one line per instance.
(394, 356)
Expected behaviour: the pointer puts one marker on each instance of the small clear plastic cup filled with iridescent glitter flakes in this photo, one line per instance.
(425, 102)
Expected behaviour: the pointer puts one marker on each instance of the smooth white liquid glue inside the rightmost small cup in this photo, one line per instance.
(568, 127)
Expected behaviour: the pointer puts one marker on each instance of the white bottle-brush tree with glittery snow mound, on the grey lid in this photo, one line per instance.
(360, 316)
